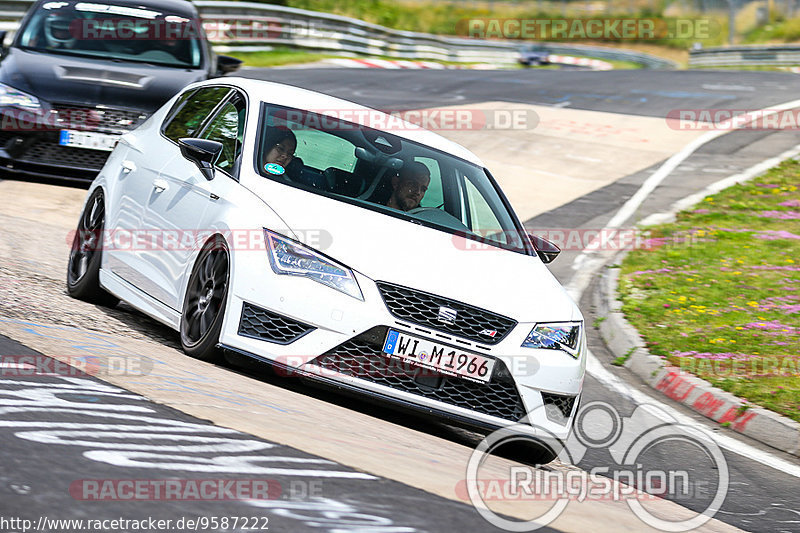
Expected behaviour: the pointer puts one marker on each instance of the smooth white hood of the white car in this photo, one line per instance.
(390, 249)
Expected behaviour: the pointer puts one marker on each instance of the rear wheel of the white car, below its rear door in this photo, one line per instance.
(83, 267)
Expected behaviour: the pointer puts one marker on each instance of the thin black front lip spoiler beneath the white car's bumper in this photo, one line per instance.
(352, 390)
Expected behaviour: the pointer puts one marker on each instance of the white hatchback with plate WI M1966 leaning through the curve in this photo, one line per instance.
(282, 224)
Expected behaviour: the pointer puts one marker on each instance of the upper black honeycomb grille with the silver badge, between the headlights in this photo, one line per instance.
(422, 308)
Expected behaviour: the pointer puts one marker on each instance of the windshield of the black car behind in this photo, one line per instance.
(115, 32)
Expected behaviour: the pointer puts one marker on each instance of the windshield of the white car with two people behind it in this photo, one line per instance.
(382, 172)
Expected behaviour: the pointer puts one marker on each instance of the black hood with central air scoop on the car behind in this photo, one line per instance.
(79, 80)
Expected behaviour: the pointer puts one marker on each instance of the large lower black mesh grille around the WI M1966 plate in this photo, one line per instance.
(361, 357)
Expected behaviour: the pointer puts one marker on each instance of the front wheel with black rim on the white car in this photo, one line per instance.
(204, 304)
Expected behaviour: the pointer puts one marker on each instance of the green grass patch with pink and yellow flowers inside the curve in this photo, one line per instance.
(718, 291)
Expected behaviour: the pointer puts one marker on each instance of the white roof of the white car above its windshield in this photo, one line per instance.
(290, 96)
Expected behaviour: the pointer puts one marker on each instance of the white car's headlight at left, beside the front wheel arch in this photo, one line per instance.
(292, 258)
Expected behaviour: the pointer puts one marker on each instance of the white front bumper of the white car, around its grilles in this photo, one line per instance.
(339, 344)
